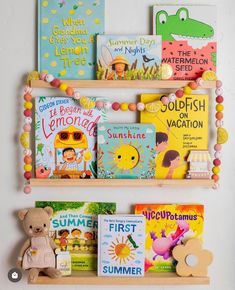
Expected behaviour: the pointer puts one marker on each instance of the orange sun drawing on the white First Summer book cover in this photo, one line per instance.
(122, 251)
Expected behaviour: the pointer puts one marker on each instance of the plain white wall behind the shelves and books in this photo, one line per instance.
(17, 58)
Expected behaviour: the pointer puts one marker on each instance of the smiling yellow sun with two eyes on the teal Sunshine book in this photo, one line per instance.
(125, 157)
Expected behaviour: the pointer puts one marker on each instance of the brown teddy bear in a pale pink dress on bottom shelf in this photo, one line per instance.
(38, 251)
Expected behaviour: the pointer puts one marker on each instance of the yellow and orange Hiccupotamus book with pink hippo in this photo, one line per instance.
(168, 225)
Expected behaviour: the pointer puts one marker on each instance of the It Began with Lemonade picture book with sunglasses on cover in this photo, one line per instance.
(65, 138)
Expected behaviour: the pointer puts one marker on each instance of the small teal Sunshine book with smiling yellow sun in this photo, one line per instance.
(126, 151)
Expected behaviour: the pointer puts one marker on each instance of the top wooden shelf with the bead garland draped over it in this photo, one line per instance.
(123, 84)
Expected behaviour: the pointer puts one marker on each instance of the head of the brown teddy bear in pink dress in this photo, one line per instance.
(36, 221)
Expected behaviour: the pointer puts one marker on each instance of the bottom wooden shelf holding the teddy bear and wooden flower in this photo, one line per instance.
(90, 278)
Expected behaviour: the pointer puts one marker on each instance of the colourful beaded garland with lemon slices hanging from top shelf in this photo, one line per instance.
(154, 107)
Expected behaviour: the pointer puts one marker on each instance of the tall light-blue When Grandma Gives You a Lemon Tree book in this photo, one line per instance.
(67, 33)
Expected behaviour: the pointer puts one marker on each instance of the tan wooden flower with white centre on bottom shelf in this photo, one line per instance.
(192, 259)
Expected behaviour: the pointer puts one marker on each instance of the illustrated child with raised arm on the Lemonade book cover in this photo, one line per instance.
(70, 159)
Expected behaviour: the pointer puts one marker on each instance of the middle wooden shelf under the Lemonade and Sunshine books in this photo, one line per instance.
(121, 182)
